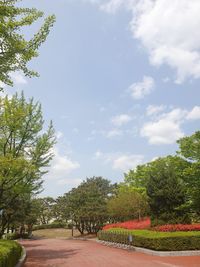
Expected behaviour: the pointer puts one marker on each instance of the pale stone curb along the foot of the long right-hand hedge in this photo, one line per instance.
(151, 252)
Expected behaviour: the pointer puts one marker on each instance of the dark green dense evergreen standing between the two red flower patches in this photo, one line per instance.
(166, 193)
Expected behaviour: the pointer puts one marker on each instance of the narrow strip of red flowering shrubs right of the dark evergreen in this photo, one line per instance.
(177, 227)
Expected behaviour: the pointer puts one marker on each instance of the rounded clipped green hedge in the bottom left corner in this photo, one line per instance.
(10, 253)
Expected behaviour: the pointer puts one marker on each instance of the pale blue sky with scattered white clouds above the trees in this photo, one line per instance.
(120, 79)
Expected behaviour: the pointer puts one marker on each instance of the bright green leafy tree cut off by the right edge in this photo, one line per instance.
(189, 149)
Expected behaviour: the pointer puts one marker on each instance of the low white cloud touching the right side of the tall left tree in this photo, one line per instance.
(61, 166)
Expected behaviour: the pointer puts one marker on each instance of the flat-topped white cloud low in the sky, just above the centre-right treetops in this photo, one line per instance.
(119, 161)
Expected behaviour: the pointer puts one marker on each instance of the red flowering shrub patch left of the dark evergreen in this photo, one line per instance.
(134, 224)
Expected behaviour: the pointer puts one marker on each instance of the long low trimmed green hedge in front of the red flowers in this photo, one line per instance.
(160, 241)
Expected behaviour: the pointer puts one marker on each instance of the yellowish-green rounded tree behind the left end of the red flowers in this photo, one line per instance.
(127, 204)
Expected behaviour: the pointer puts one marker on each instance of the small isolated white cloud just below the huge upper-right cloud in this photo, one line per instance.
(140, 89)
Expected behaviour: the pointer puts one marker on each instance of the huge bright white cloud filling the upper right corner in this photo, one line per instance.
(167, 30)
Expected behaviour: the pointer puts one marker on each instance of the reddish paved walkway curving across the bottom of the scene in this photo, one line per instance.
(75, 253)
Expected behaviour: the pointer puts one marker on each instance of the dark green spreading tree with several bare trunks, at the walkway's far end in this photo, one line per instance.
(87, 204)
